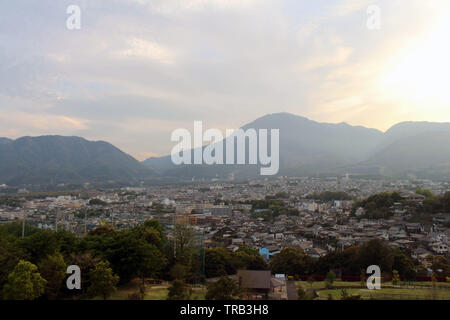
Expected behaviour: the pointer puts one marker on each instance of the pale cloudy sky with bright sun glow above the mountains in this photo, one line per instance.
(136, 70)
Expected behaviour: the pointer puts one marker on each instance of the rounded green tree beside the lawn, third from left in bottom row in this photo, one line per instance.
(103, 280)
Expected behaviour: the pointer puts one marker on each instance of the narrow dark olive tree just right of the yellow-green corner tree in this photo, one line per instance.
(53, 269)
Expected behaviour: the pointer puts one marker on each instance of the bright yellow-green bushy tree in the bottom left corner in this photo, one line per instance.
(24, 282)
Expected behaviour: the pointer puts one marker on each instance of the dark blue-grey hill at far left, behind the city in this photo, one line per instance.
(58, 159)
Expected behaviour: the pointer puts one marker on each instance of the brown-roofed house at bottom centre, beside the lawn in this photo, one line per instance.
(256, 283)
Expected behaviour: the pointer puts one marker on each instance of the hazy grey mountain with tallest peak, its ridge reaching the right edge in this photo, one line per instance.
(308, 147)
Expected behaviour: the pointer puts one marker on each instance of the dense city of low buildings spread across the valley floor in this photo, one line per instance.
(316, 216)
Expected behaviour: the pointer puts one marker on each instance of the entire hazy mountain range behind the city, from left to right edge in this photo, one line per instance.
(306, 148)
